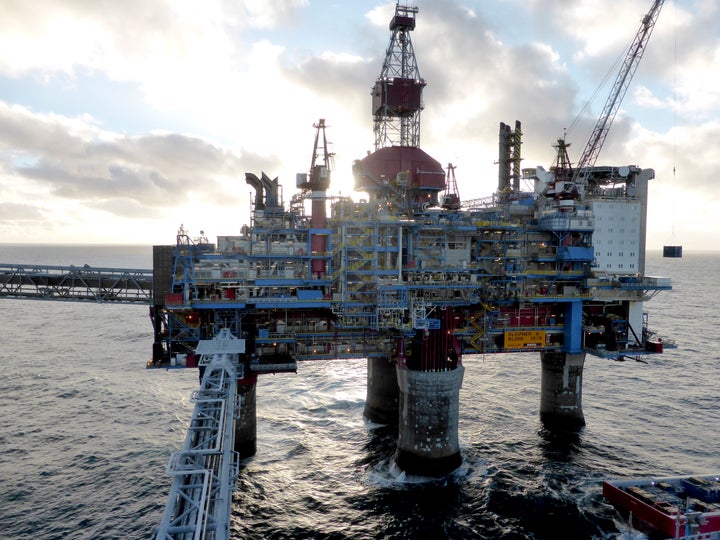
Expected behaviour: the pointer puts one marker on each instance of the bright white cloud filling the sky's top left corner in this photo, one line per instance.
(133, 39)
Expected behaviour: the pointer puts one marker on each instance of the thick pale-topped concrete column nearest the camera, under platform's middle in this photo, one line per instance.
(428, 431)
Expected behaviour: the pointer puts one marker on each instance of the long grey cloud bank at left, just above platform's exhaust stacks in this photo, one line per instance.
(125, 175)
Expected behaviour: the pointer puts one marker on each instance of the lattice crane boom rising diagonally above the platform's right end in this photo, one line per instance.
(624, 76)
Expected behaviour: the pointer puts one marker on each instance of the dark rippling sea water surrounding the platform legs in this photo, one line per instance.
(86, 431)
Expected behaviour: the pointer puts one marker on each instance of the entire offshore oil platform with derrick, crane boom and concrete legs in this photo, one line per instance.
(414, 279)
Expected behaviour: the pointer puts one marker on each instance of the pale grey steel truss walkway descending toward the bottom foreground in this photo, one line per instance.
(205, 471)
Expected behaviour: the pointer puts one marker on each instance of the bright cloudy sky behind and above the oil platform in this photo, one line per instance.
(121, 121)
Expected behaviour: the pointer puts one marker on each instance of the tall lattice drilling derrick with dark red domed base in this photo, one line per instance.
(398, 171)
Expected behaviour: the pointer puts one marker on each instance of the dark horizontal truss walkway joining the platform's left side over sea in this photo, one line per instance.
(42, 282)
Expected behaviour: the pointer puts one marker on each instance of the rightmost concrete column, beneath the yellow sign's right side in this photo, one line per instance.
(561, 389)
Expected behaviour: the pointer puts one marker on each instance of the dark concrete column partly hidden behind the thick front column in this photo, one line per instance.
(381, 402)
